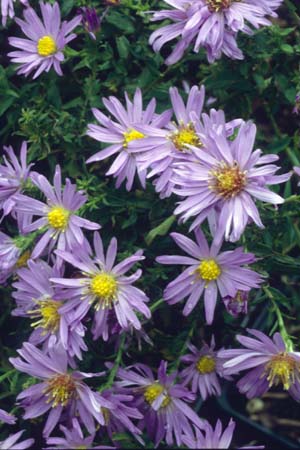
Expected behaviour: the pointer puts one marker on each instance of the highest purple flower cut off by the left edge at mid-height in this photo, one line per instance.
(14, 175)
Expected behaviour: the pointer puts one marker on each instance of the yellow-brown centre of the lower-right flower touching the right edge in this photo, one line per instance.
(282, 368)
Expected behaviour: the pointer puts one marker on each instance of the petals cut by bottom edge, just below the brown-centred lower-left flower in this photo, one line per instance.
(74, 438)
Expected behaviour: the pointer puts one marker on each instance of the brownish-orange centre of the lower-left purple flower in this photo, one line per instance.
(60, 389)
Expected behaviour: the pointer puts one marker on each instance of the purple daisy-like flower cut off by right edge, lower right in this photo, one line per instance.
(269, 361)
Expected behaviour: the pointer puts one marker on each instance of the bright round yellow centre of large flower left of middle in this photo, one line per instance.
(104, 286)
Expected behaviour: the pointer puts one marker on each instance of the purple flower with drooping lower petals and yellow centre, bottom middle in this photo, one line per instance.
(163, 402)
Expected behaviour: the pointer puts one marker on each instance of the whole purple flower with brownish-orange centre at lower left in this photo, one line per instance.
(60, 391)
